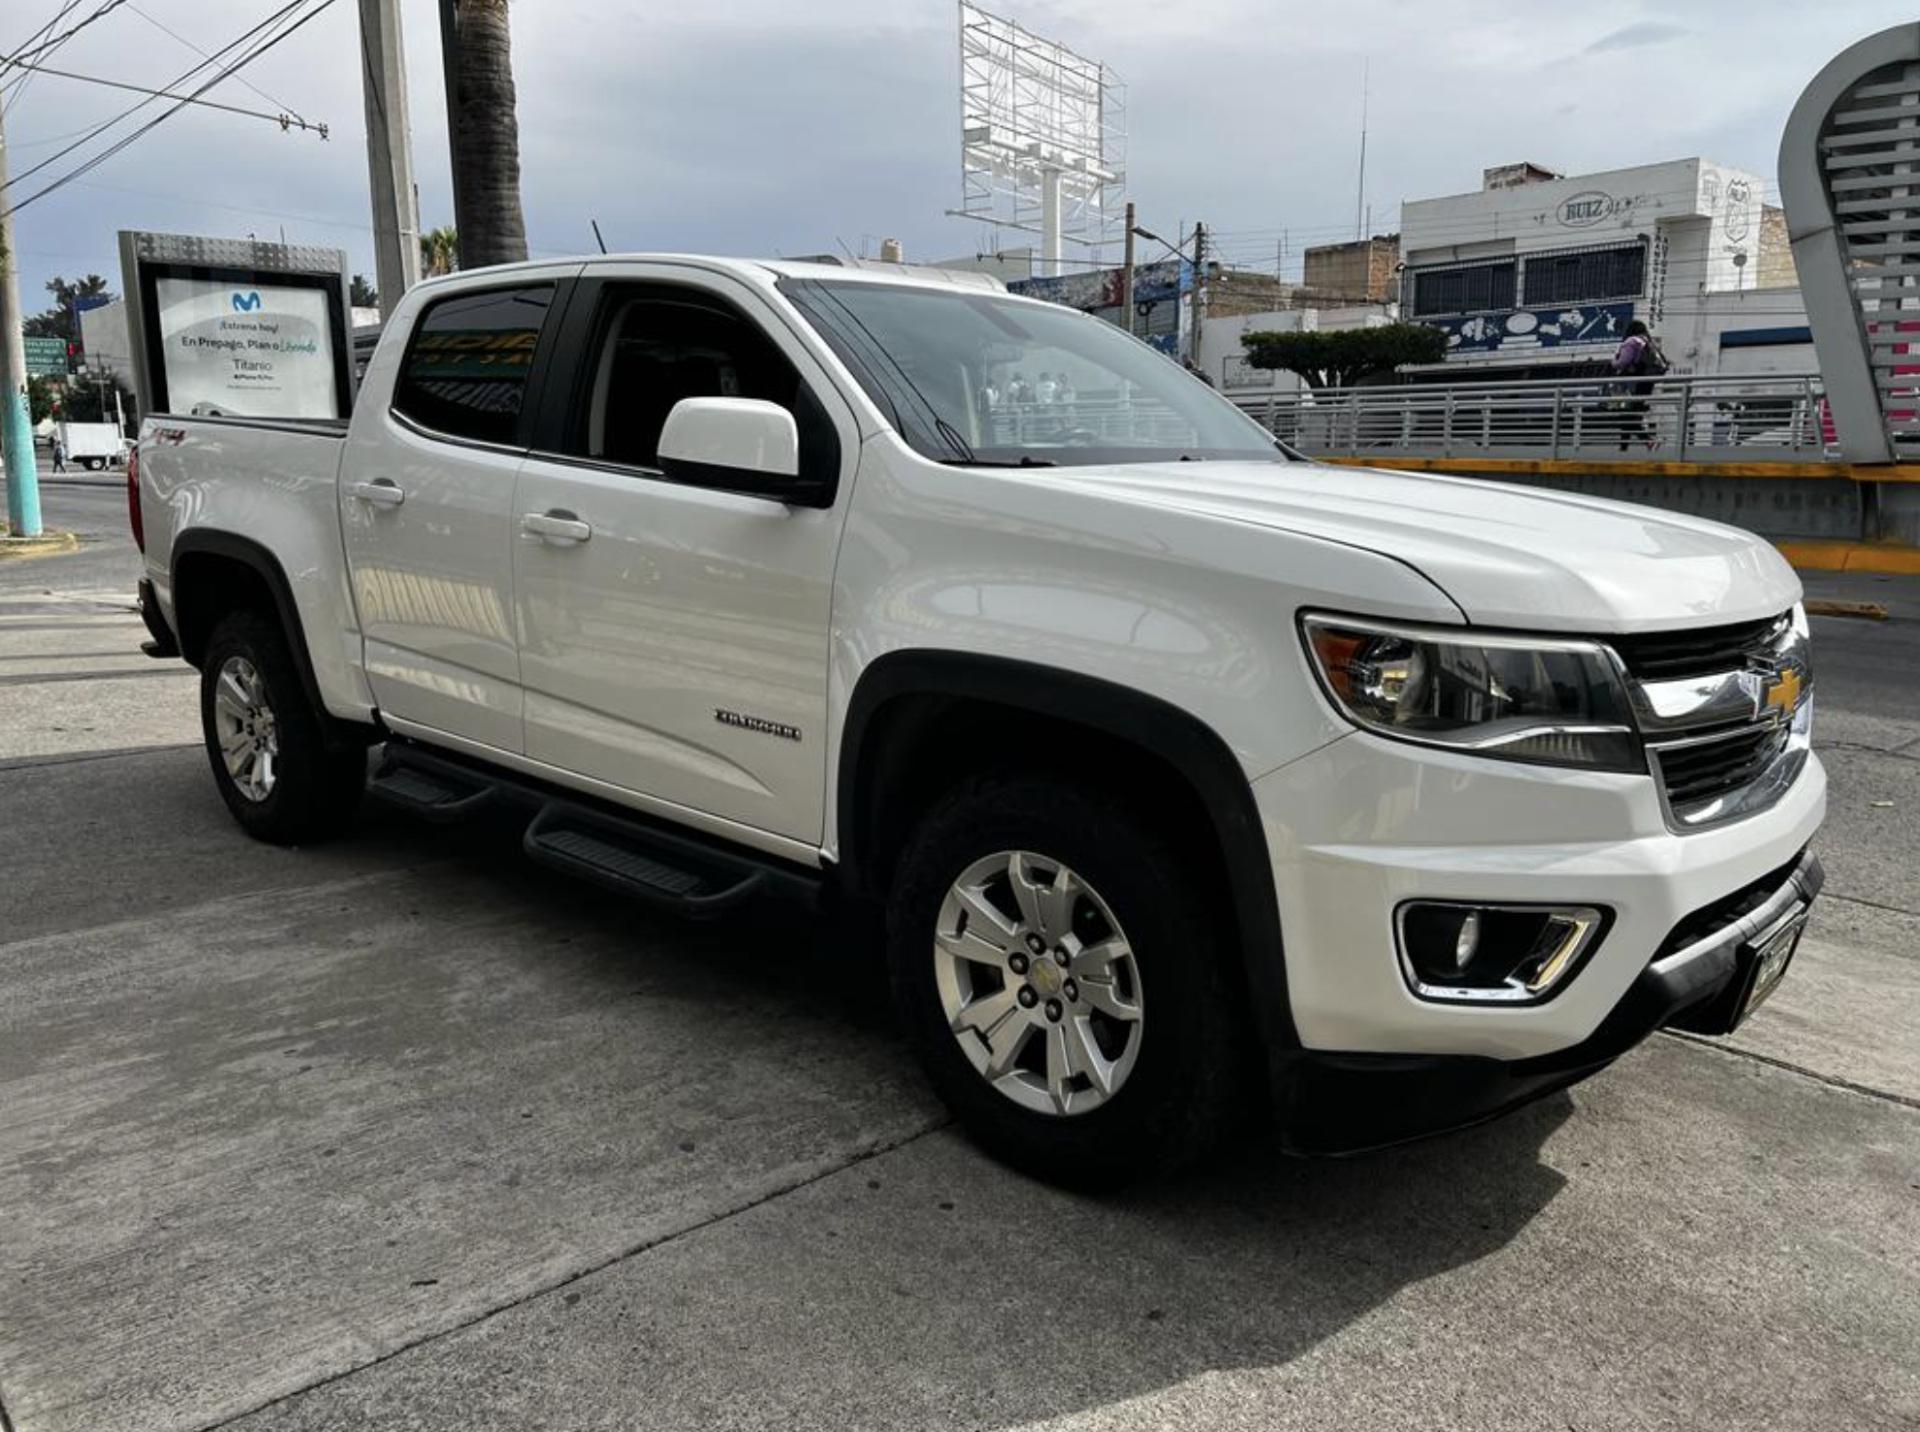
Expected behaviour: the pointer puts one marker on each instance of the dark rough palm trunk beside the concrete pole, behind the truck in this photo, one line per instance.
(485, 131)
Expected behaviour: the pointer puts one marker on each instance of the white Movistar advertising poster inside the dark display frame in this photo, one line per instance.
(247, 350)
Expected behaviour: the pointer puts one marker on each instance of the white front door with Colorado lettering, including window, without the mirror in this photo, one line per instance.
(675, 638)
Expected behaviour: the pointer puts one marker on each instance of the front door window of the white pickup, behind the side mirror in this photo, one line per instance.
(656, 348)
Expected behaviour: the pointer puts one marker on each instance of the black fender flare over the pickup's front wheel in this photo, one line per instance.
(1163, 730)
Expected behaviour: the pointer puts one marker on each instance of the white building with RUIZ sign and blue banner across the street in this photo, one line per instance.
(1539, 274)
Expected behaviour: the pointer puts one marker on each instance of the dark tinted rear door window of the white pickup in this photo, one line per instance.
(469, 360)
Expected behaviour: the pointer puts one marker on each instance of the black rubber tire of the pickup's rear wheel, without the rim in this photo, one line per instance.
(316, 786)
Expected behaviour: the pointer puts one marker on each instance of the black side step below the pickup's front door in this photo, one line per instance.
(692, 882)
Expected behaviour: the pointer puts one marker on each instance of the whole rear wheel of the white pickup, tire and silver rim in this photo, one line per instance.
(268, 748)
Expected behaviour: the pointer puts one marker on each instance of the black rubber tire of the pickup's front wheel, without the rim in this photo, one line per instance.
(1182, 1091)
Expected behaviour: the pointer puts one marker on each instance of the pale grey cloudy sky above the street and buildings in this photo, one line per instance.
(792, 128)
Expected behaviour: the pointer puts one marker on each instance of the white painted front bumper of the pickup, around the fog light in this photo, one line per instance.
(1366, 824)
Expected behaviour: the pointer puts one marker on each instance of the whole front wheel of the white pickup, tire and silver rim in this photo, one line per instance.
(1057, 967)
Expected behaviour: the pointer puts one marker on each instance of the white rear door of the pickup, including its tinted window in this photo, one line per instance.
(429, 515)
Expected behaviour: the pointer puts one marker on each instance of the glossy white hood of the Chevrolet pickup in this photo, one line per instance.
(1506, 556)
